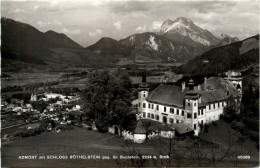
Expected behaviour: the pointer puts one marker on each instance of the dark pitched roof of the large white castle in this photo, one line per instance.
(215, 89)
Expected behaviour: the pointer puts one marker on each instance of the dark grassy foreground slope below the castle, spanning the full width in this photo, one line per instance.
(81, 141)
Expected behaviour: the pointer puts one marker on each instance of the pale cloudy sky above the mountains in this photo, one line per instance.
(86, 21)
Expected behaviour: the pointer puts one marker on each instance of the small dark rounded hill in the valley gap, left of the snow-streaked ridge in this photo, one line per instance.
(109, 46)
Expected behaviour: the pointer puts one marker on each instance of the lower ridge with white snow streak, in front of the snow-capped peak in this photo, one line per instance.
(152, 47)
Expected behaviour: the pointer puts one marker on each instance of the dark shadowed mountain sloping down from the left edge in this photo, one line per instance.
(23, 42)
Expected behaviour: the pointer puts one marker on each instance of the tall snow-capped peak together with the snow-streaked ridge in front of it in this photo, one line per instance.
(179, 40)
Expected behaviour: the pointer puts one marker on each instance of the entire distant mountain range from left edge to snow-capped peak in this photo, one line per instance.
(179, 41)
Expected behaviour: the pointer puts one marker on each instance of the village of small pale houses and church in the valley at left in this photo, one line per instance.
(52, 108)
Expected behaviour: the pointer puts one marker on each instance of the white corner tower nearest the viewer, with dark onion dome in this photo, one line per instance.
(191, 106)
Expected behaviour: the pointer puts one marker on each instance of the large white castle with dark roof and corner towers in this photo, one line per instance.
(171, 104)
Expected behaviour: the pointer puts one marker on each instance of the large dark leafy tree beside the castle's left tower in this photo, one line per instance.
(107, 99)
